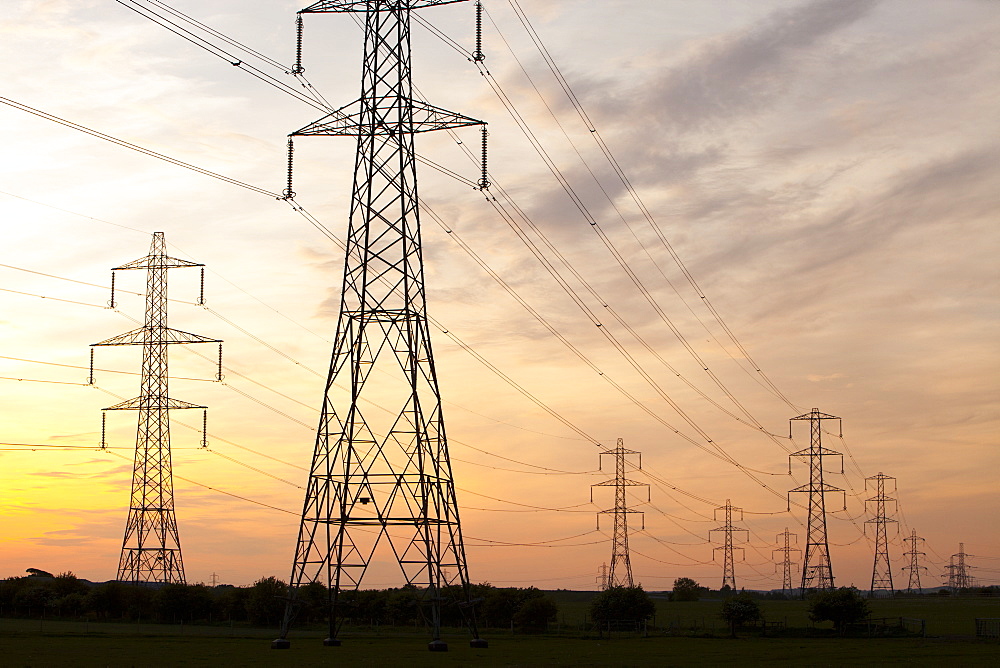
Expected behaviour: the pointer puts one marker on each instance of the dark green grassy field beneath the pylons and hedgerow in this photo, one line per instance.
(683, 636)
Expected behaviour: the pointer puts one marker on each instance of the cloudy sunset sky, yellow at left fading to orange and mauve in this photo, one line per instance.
(826, 171)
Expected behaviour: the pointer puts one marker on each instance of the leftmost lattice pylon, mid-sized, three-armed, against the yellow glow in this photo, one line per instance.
(151, 549)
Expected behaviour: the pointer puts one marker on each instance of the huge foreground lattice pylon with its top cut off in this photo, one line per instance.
(382, 477)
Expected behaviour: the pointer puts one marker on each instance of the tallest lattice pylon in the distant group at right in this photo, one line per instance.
(817, 572)
